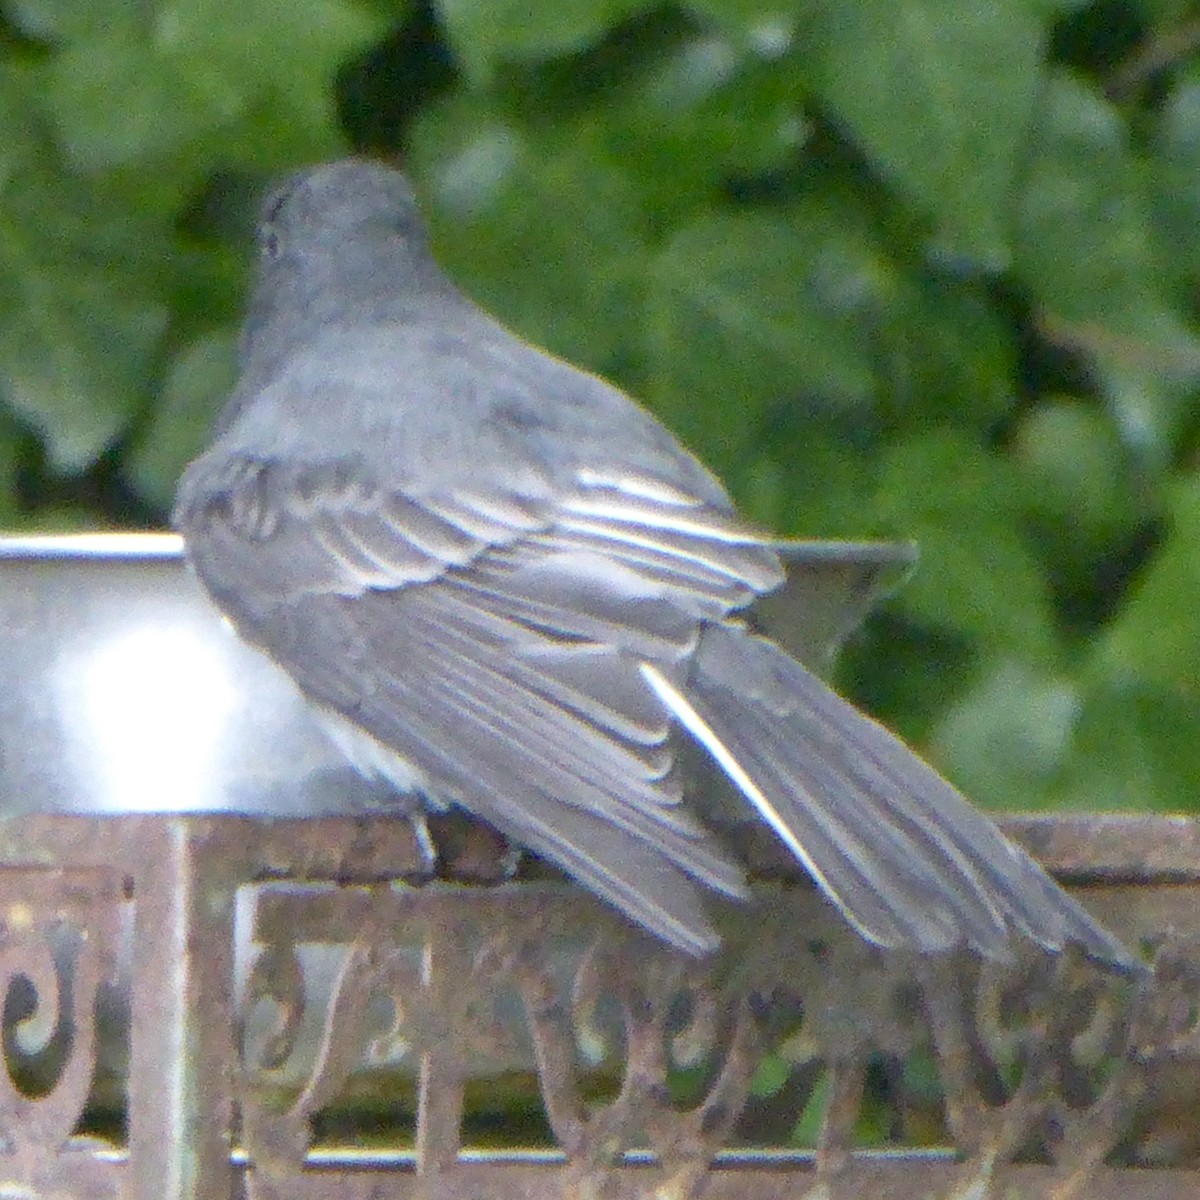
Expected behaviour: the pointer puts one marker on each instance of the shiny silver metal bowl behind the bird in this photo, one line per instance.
(123, 689)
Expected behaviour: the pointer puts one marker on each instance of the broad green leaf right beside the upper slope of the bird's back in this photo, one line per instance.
(754, 309)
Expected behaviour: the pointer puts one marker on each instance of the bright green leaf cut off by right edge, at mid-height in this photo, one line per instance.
(1156, 637)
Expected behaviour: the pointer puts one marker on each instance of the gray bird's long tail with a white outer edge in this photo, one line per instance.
(892, 844)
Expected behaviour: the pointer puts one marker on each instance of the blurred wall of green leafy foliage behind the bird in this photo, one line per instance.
(895, 268)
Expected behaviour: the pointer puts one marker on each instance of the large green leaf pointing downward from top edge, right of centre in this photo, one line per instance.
(939, 94)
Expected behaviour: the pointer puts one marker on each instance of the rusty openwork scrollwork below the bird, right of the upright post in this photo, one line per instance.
(1046, 1058)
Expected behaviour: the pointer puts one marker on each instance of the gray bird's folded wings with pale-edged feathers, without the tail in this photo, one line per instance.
(493, 640)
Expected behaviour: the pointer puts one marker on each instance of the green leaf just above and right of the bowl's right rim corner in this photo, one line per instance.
(977, 575)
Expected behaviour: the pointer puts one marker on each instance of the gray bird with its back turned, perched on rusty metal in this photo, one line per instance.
(508, 589)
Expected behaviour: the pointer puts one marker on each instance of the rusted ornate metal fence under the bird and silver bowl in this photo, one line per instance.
(1045, 1078)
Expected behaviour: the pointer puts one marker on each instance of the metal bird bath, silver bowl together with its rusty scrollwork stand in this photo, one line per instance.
(159, 893)
